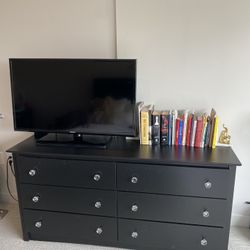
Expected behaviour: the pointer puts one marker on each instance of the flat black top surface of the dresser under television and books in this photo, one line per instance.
(132, 151)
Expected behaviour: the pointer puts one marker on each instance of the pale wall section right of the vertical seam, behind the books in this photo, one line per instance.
(195, 54)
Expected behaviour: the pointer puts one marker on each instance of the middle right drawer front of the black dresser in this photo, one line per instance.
(190, 210)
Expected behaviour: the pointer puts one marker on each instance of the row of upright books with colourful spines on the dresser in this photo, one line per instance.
(177, 127)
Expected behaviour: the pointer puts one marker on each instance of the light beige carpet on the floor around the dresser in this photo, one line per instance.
(10, 237)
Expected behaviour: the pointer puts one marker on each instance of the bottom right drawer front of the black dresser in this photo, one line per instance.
(170, 236)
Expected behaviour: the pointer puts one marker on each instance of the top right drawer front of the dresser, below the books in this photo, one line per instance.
(203, 182)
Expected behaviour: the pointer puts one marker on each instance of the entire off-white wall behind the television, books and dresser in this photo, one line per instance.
(191, 54)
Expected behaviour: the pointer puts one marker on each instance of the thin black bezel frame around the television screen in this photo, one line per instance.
(133, 130)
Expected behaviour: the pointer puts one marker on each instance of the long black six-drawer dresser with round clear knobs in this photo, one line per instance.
(129, 196)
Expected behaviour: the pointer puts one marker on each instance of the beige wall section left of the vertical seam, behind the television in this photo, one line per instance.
(48, 28)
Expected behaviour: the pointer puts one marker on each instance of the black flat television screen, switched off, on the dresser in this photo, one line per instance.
(89, 96)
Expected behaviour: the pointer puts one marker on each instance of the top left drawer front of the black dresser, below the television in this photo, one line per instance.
(73, 173)
